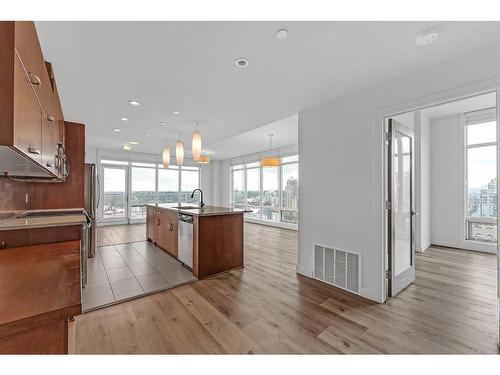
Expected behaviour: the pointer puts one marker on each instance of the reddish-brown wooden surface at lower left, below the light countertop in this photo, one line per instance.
(38, 283)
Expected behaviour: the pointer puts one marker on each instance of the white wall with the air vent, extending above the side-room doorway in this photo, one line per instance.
(342, 163)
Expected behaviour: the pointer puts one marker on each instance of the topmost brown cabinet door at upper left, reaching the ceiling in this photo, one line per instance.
(30, 52)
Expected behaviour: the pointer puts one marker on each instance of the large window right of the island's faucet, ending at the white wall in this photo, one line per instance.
(270, 193)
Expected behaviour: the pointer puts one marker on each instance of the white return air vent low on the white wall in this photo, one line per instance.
(337, 267)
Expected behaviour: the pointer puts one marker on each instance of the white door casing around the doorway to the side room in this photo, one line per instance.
(416, 104)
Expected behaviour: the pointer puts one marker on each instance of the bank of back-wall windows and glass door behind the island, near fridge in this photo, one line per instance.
(129, 186)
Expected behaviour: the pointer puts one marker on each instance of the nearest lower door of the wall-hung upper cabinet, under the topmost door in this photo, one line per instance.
(27, 115)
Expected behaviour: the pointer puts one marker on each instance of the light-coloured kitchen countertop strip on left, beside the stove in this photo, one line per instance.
(14, 222)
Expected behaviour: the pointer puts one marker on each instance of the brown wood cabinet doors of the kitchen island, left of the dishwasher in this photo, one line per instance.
(161, 228)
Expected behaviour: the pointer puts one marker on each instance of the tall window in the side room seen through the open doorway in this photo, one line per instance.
(481, 176)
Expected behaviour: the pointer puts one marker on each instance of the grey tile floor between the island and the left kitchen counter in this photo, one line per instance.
(120, 272)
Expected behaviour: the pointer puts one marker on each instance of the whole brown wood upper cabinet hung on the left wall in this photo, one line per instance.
(31, 119)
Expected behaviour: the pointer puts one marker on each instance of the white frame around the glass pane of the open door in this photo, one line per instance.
(409, 274)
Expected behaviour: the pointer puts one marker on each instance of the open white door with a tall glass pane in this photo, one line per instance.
(400, 208)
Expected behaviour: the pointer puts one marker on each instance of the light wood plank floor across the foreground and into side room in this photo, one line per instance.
(268, 308)
